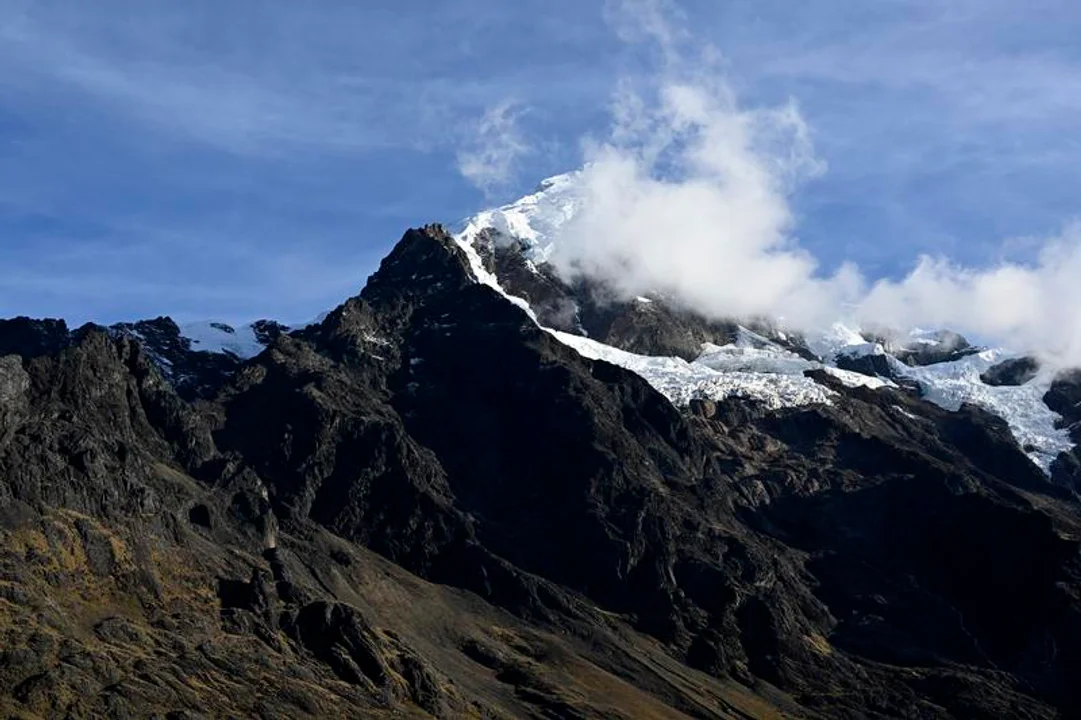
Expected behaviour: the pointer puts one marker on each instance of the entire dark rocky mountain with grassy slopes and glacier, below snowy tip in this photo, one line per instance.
(477, 490)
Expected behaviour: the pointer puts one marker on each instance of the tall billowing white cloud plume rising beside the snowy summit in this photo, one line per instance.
(688, 195)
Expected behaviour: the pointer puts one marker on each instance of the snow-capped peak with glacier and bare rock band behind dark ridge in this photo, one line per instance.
(773, 370)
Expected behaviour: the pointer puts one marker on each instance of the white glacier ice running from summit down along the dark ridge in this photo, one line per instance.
(756, 368)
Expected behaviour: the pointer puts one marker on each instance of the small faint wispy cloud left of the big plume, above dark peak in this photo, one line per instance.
(489, 161)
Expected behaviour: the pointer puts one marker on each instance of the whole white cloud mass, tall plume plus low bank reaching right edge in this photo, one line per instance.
(690, 194)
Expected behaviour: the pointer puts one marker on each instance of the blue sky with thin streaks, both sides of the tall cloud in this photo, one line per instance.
(250, 159)
